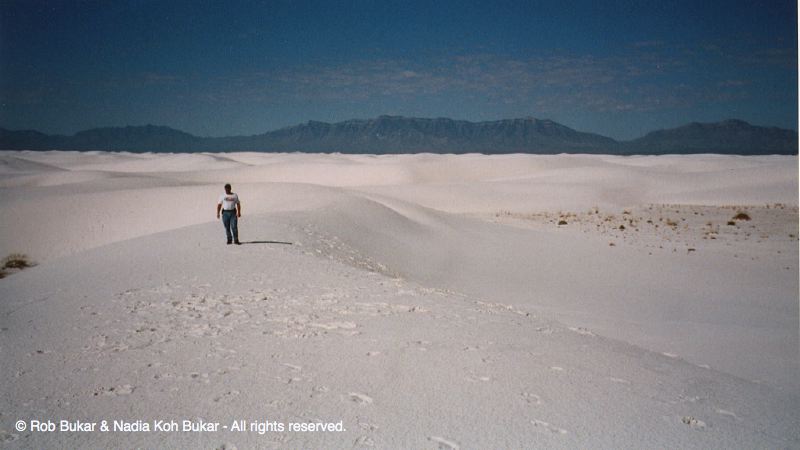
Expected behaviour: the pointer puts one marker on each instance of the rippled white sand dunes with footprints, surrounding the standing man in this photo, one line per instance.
(425, 301)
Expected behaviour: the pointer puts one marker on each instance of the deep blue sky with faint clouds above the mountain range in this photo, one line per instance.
(620, 69)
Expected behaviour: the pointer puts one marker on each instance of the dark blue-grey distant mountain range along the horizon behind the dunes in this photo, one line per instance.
(394, 134)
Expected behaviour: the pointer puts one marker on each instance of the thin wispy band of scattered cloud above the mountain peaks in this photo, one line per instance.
(644, 79)
